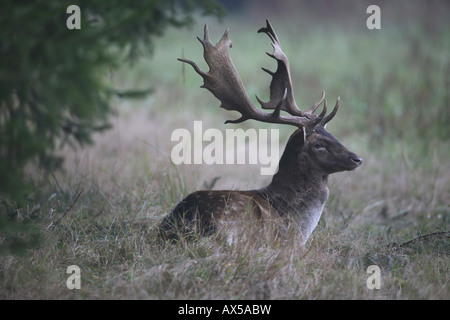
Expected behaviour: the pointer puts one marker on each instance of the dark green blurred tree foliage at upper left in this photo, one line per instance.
(52, 81)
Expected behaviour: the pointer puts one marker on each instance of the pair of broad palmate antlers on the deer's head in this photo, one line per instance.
(223, 81)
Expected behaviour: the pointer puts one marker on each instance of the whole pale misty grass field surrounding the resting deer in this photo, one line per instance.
(393, 212)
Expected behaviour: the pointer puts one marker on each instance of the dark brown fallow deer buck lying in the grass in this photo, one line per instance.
(298, 190)
